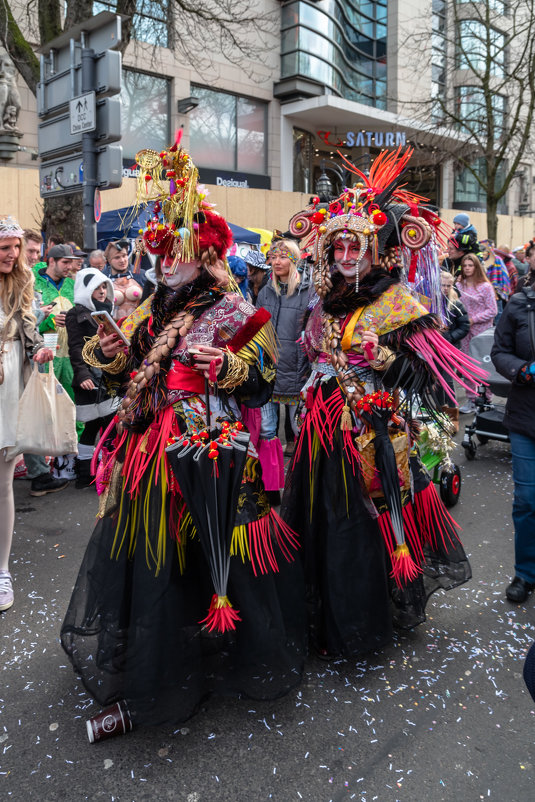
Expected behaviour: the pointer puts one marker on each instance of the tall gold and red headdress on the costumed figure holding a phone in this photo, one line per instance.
(183, 224)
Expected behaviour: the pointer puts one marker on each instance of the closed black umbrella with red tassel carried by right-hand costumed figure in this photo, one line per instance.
(376, 409)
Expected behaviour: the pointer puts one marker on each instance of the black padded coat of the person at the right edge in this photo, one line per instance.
(510, 352)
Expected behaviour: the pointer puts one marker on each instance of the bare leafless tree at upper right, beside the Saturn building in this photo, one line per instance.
(489, 56)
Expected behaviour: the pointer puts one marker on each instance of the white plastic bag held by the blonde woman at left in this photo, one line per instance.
(46, 421)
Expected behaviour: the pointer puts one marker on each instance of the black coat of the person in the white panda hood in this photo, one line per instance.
(81, 327)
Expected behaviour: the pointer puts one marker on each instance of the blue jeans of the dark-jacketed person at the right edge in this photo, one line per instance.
(523, 453)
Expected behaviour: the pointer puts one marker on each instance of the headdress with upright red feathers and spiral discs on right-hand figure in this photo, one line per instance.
(377, 211)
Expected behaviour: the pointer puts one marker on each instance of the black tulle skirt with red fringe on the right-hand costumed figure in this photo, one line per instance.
(353, 602)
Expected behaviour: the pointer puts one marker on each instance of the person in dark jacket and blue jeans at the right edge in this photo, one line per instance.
(513, 355)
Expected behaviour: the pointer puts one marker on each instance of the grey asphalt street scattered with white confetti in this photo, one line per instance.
(441, 714)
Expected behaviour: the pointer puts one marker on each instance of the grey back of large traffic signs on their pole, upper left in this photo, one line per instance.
(80, 71)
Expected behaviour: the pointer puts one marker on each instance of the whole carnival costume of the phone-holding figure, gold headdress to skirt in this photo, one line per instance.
(144, 623)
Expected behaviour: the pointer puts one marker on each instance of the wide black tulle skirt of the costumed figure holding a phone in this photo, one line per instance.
(133, 633)
